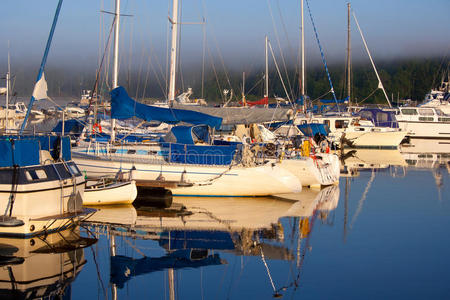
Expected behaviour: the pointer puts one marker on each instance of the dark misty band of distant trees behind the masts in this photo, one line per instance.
(408, 78)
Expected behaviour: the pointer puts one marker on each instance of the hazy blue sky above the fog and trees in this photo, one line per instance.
(235, 30)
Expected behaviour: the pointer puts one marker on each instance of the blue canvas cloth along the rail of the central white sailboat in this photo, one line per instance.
(202, 155)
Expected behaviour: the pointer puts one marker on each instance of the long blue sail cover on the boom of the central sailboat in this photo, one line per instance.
(123, 107)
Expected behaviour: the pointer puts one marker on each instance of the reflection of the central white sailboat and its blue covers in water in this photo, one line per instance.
(199, 232)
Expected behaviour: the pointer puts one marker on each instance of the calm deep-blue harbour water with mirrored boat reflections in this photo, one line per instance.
(382, 234)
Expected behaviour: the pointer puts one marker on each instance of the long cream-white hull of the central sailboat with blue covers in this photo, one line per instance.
(202, 180)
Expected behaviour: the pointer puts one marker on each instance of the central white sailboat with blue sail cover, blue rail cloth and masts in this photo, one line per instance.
(194, 168)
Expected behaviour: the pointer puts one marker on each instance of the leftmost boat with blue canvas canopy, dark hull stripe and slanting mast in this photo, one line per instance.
(41, 188)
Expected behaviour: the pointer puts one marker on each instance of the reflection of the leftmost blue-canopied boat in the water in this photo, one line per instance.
(42, 267)
